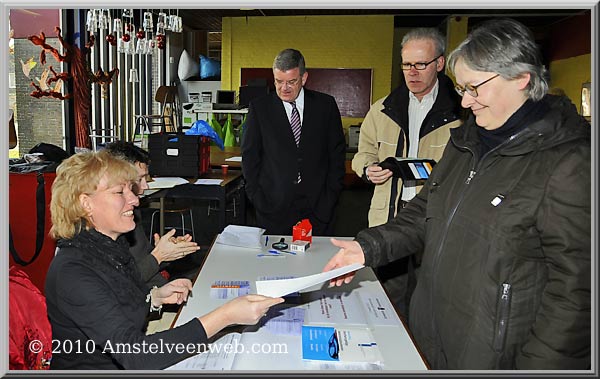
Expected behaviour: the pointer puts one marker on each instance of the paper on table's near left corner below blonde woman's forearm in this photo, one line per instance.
(220, 356)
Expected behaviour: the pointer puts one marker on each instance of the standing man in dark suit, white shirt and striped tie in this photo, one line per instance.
(293, 152)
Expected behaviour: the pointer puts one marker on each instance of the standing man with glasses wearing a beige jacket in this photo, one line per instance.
(412, 121)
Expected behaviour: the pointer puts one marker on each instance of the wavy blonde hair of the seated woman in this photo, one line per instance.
(79, 174)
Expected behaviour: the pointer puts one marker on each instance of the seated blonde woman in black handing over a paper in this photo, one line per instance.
(97, 301)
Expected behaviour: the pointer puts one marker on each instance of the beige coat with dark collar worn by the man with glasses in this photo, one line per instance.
(386, 125)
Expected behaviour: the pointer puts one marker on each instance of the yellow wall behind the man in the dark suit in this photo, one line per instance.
(325, 42)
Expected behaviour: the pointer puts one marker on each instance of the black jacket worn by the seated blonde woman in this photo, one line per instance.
(97, 307)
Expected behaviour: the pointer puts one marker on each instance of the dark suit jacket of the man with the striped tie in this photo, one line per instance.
(271, 161)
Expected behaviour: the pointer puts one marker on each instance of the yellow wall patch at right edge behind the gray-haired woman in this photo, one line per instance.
(569, 74)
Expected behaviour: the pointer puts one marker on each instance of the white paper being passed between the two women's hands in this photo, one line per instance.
(282, 287)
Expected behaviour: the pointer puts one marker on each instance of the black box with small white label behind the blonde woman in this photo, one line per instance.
(178, 155)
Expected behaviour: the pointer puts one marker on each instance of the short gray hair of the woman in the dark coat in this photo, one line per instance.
(506, 47)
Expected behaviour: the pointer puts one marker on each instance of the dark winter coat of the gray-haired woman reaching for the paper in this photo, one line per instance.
(505, 277)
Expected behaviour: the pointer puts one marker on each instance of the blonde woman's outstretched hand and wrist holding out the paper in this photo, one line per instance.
(243, 310)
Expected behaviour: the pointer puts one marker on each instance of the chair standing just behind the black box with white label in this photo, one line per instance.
(167, 120)
